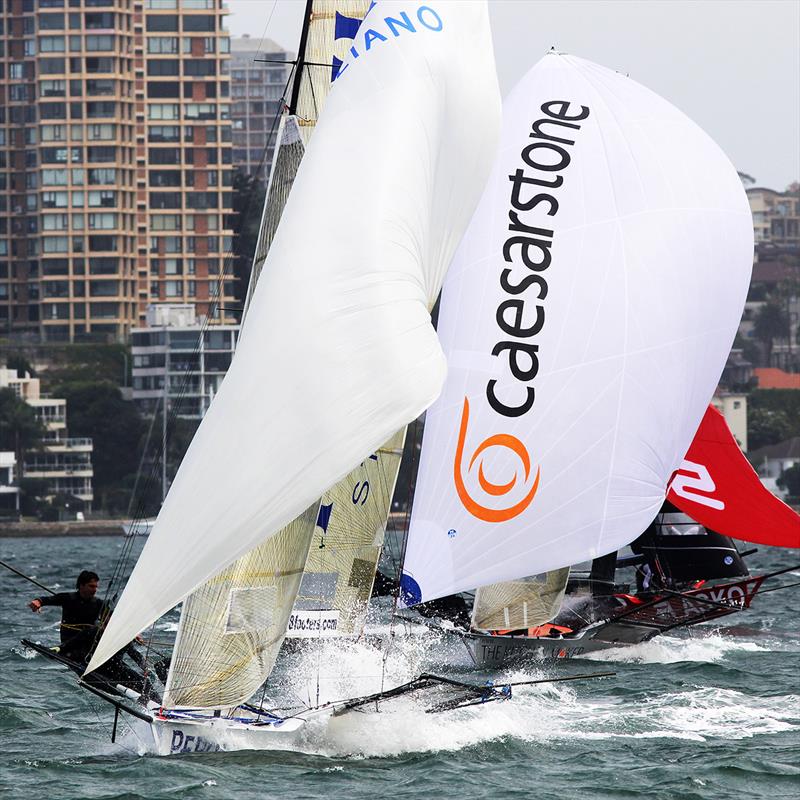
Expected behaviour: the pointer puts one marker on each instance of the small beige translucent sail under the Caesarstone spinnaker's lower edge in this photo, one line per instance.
(524, 603)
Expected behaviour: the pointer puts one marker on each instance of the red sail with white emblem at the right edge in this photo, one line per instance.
(716, 486)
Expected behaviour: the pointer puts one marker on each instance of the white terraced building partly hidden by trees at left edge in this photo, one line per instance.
(64, 462)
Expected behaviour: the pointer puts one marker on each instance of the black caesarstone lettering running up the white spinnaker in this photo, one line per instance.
(531, 186)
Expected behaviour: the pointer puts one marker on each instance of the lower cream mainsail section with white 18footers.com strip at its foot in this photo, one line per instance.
(344, 553)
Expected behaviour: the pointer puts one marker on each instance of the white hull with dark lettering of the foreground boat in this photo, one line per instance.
(183, 736)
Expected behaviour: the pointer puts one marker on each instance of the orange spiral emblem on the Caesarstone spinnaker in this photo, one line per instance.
(497, 511)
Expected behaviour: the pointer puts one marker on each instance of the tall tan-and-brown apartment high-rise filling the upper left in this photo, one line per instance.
(115, 163)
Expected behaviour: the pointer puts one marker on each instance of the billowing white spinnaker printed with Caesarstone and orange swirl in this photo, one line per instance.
(640, 264)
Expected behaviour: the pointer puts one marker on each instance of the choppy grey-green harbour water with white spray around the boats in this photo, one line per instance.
(715, 714)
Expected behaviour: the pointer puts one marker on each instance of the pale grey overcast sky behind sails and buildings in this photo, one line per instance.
(732, 65)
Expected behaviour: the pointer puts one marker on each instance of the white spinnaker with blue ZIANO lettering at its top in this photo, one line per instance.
(337, 352)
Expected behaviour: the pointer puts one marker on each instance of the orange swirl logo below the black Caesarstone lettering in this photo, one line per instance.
(494, 489)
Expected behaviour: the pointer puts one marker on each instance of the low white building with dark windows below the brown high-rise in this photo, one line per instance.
(175, 356)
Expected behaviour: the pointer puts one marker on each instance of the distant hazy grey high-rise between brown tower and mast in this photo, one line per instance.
(259, 73)
